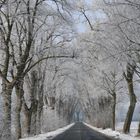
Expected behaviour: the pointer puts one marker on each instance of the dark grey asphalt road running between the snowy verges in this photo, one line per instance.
(81, 132)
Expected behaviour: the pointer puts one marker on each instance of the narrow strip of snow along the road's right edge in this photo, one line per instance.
(114, 134)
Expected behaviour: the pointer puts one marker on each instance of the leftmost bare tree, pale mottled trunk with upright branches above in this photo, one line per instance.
(7, 20)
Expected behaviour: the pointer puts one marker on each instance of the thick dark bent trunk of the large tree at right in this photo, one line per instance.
(129, 116)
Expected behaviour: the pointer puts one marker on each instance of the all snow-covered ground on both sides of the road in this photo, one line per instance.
(116, 134)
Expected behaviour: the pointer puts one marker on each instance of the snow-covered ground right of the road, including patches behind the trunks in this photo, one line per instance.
(117, 134)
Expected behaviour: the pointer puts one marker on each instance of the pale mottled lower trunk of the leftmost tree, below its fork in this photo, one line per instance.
(6, 93)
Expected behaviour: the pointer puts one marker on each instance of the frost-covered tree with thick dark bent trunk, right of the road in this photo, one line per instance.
(121, 21)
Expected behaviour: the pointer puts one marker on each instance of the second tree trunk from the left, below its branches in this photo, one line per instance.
(19, 93)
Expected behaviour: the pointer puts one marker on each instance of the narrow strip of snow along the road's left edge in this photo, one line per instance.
(49, 135)
